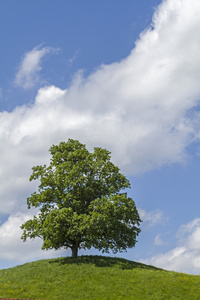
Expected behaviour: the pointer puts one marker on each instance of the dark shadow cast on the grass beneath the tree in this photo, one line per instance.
(104, 261)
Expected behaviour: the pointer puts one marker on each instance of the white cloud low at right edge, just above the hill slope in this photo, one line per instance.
(186, 256)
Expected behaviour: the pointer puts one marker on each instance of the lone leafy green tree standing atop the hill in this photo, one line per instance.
(80, 204)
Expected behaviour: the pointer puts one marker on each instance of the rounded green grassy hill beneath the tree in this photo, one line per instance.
(95, 277)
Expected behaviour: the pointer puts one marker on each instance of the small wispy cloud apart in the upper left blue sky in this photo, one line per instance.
(30, 67)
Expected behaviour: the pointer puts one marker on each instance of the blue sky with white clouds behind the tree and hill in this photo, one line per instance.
(121, 75)
